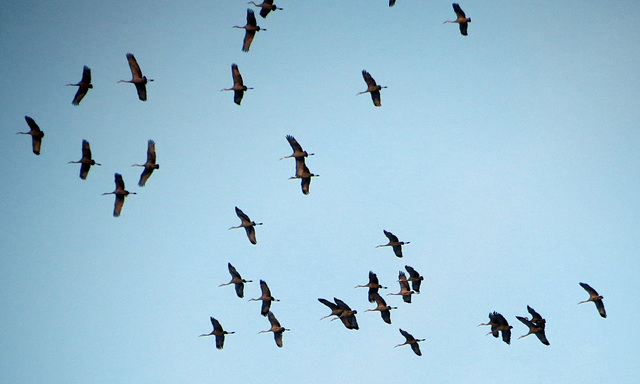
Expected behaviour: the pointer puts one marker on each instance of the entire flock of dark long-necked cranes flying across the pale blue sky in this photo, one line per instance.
(339, 309)
